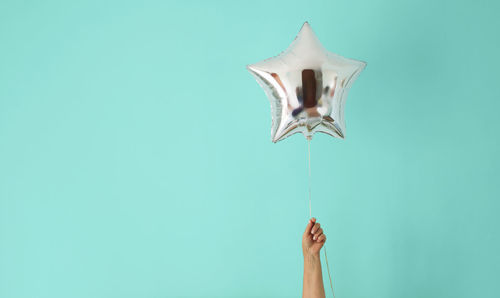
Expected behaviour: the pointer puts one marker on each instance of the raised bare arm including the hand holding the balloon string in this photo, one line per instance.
(312, 242)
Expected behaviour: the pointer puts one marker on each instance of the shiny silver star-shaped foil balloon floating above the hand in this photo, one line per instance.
(307, 87)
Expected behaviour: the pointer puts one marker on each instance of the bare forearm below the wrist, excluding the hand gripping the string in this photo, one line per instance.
(313, 278)
